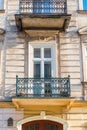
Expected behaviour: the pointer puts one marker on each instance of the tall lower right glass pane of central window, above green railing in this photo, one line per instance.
(47, 69)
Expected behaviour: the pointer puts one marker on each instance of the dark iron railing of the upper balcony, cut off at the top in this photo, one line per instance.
(43, 6)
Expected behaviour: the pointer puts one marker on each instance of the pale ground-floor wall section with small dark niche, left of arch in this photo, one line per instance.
(5, 114)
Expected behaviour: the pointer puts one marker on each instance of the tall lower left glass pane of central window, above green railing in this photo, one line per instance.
(37, 69)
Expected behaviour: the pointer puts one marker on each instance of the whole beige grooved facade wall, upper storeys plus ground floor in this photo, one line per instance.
(14, 59)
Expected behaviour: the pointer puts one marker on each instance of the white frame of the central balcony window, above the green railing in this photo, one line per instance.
(31, 59)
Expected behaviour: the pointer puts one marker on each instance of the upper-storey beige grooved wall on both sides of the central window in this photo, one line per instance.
(15, 50)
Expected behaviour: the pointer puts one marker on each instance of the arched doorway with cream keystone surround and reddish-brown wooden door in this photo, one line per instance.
(42, 122)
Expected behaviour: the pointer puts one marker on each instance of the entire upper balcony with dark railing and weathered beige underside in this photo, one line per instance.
(36, 16)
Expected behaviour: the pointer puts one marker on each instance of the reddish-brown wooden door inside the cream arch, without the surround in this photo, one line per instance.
(42, 125)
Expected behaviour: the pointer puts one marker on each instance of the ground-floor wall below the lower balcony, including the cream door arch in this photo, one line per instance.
(75, 119)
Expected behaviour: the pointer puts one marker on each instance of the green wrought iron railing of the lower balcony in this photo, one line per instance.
(42, 88)
